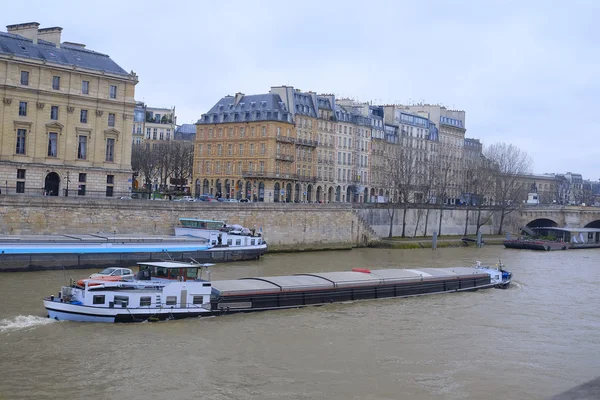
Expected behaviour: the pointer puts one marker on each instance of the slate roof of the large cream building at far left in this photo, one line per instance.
(66, 54)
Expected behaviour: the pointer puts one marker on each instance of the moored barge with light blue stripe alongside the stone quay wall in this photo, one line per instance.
(86, 251)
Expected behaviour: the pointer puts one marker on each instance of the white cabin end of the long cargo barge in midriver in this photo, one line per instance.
(159, 291)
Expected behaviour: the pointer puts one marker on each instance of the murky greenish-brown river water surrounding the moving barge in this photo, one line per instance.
(534, 340)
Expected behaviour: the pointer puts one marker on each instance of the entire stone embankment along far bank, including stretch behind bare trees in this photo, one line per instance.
(286, 227)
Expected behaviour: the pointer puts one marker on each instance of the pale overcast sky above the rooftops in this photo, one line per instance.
(525, 72)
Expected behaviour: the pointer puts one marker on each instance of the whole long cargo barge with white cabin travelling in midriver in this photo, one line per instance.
(176, 290)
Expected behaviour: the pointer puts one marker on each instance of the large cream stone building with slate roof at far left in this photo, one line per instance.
(66, 116)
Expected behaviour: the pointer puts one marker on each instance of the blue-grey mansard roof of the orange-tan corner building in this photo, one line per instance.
(248, 108)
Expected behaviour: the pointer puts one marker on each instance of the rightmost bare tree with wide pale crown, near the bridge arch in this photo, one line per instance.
(511, 164)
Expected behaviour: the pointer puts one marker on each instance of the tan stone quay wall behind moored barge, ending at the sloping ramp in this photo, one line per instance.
(286, 227)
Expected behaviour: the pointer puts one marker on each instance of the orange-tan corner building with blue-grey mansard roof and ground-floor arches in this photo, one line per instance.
(246, 147)
